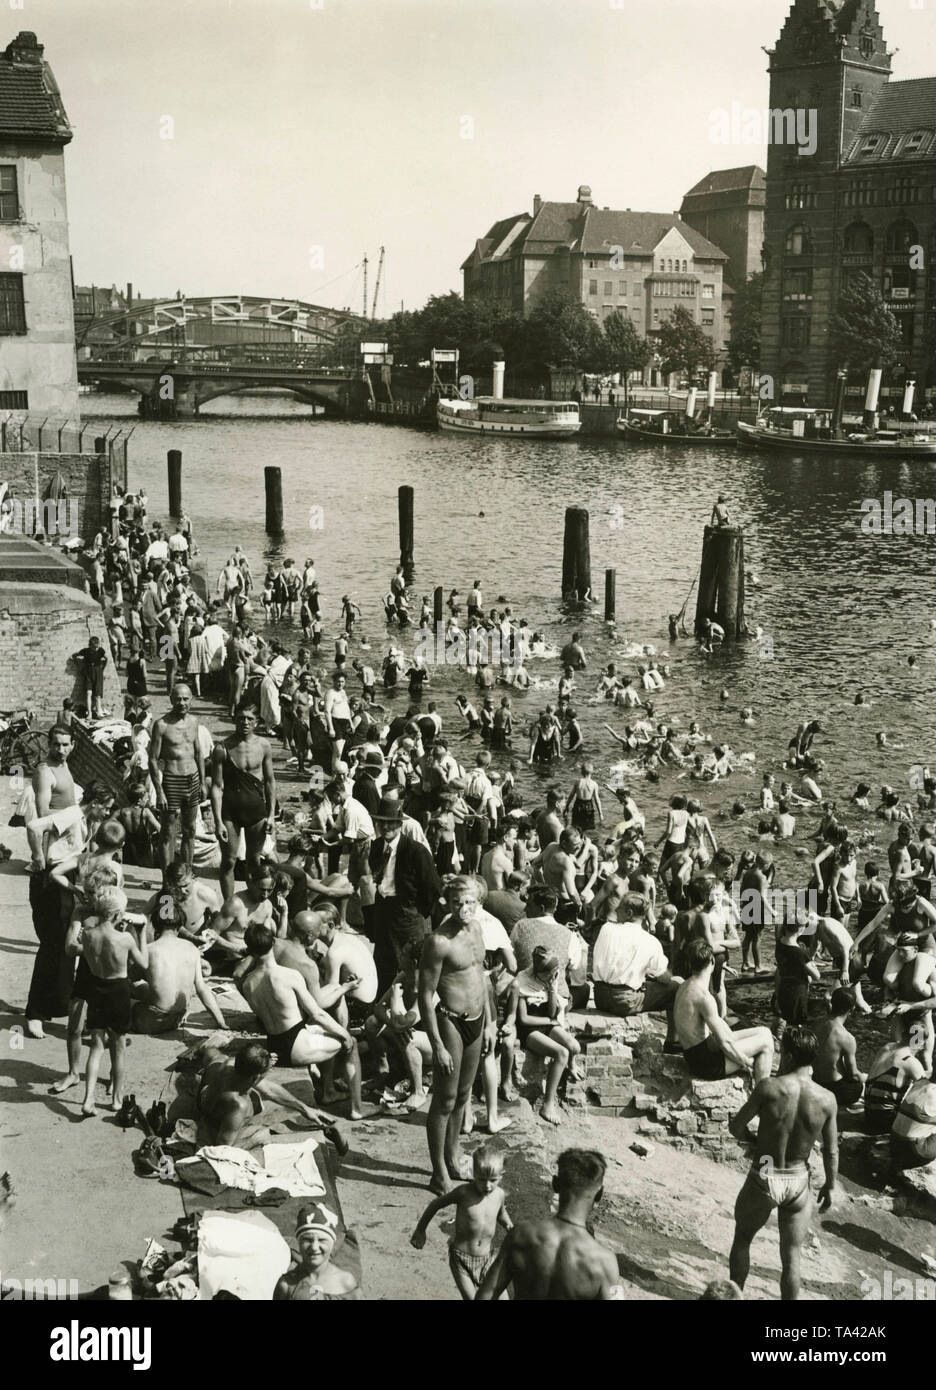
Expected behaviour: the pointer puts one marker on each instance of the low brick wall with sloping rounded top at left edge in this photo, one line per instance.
(41, 629)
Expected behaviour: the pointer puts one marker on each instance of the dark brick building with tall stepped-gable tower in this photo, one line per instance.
(866, 201)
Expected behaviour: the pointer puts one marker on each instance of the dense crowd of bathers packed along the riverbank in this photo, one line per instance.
(414, 843)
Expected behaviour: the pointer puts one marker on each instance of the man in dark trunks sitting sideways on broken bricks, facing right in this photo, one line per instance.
(713, 1052)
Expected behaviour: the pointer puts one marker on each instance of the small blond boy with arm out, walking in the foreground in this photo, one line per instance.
(481, 1207)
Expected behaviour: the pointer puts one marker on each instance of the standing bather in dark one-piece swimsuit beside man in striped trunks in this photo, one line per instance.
(244, 794)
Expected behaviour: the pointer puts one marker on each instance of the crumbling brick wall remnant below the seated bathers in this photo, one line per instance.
(629, 1074)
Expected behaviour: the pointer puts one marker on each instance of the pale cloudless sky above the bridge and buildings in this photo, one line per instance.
(265, 147)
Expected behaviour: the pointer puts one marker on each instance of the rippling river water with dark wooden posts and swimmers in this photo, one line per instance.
(839, 611)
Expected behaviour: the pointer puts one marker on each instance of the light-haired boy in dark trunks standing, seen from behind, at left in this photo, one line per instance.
(108, 947)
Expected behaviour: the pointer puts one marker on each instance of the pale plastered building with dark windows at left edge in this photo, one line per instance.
(38, 372)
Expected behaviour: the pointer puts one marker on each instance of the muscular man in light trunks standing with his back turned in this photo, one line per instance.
(793, 1113)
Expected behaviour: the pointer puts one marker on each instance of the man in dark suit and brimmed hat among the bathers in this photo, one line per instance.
(407, 890)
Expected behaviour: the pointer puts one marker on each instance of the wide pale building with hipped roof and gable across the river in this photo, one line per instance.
(643, 265)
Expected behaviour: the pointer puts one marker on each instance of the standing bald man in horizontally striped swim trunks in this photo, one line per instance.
(177, 769)
